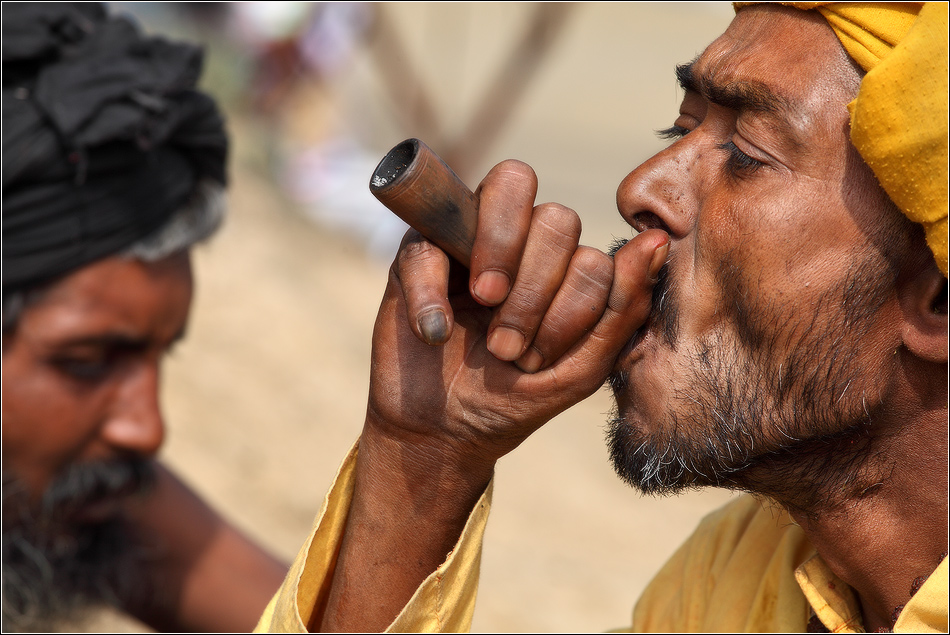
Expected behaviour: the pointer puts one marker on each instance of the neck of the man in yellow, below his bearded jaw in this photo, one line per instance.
(873, 503)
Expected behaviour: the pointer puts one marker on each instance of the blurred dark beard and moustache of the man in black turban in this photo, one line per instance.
(55, 567)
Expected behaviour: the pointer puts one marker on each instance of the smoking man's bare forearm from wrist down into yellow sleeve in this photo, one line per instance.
(411, 502)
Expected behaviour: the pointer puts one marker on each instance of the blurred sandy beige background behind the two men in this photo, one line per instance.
(267, 392)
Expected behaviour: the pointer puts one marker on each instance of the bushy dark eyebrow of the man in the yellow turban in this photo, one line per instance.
(740, 96)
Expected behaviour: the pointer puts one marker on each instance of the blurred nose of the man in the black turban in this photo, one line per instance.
(135, 424)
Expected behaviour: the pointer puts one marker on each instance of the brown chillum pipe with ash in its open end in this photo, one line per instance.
(418, 187)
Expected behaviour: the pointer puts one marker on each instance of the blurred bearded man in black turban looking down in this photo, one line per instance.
(113, 168)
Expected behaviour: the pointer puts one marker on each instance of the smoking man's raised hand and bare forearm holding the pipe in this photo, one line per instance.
(442, 410)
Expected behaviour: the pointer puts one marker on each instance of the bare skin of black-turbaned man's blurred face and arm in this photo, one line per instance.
(81, 384)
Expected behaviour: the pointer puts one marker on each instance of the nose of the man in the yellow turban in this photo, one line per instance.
(663, 192)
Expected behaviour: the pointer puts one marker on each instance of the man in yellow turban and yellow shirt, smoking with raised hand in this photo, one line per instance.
(777, 326)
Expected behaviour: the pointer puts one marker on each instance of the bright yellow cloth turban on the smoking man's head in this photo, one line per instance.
(899, 118)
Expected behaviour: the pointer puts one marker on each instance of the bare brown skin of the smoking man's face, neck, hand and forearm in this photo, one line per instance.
(780, 190)
